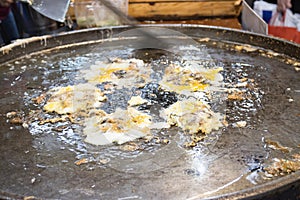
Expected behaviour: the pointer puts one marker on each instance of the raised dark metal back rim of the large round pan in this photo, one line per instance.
(27, 46)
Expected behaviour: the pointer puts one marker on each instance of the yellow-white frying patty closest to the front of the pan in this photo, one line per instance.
(119, 127)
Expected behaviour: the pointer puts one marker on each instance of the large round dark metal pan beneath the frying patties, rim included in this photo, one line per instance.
(40, 163)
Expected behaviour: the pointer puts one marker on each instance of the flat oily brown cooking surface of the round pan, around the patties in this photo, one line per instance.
(41, 164)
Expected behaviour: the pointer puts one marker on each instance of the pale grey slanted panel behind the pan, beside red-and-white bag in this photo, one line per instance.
(251, 21)
